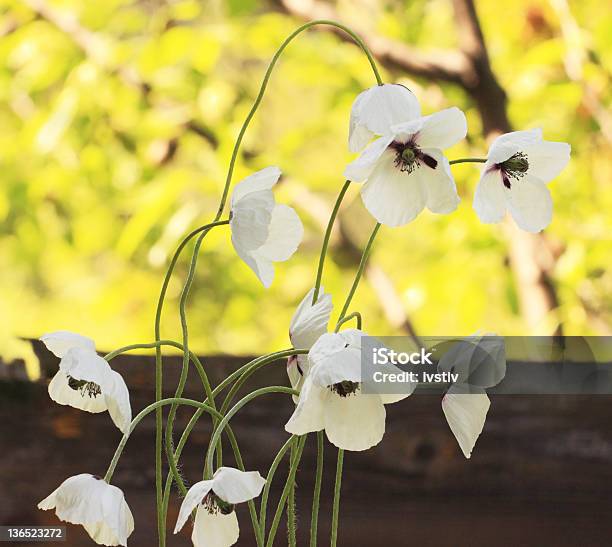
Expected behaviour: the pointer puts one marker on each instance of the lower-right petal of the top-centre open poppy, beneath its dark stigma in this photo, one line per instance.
(442, 195)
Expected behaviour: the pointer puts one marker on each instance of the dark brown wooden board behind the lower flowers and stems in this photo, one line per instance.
(541, 473)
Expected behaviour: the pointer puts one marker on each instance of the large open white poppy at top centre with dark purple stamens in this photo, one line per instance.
(405, 170)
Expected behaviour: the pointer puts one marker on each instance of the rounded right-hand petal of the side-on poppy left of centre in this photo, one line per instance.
(285, 233)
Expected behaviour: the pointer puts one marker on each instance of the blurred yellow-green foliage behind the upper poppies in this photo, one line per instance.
(102, 171)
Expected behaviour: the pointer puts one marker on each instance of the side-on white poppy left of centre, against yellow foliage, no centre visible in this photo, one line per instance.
(263, 231)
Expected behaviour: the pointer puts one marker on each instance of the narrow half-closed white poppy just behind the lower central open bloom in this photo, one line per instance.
(307, 325)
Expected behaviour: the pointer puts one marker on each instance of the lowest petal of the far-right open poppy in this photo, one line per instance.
(530, 203)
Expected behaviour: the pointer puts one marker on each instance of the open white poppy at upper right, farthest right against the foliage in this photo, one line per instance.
(514, 178)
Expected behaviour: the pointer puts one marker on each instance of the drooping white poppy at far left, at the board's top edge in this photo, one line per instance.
(85, 380)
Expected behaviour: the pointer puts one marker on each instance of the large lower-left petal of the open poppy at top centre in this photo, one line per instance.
(393, 197)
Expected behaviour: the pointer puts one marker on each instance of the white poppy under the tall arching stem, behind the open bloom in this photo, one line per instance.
(377, 109)
